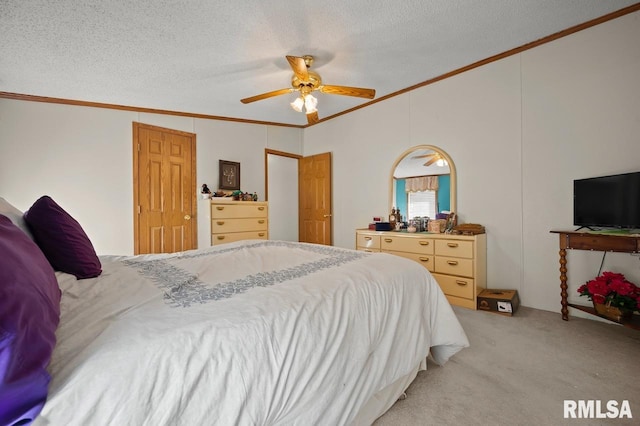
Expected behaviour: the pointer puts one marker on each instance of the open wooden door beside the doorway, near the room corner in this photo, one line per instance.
(315, 199)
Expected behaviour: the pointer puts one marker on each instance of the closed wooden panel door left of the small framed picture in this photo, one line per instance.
(164, 190)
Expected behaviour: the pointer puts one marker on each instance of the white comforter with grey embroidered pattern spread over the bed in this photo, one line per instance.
(248, 333)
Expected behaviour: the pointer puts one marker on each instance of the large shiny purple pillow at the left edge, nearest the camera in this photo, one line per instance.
(29, 316)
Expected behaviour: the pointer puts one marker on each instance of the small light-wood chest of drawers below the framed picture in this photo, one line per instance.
(238, 220)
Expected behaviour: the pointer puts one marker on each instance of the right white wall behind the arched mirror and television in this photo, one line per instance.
(519, 131)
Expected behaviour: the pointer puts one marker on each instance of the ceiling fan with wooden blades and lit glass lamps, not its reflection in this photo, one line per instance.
(306, 81)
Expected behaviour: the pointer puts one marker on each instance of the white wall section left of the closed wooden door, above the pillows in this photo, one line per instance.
(81, 157)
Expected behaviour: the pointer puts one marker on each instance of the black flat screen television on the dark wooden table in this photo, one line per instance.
(607, 201)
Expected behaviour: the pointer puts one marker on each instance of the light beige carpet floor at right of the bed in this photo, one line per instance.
(519, 371)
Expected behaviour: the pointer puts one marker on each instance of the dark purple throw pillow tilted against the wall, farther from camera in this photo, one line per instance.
(62, 239)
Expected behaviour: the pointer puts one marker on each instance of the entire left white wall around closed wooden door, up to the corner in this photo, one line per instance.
(83, 158)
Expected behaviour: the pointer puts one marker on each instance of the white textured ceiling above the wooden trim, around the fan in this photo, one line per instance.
(203, 56)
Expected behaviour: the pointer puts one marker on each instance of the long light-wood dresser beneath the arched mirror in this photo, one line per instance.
(457, 262)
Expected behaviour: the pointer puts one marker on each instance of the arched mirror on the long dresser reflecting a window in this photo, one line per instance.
(423, 174)
